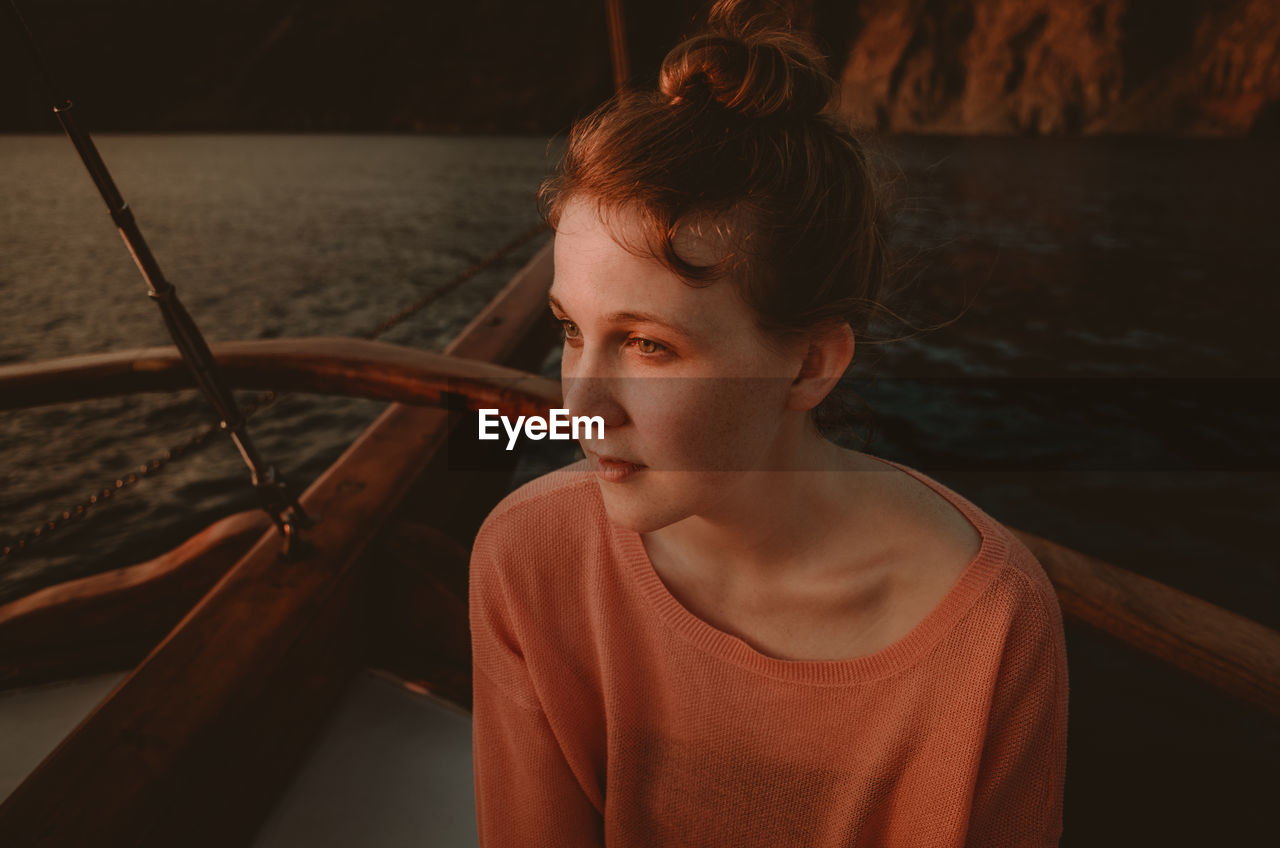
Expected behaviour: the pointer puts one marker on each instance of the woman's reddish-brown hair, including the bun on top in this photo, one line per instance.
(738, 133)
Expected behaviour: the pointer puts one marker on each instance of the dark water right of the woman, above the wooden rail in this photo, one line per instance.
(1121, 298)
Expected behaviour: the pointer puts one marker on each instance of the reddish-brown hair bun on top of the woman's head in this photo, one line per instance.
(756, 74)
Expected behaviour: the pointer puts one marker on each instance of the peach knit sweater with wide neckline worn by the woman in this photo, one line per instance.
(606, 714)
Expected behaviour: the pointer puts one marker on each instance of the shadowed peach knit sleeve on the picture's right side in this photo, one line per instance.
(1018, 799)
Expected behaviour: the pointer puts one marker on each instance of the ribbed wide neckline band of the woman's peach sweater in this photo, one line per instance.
(902, 654)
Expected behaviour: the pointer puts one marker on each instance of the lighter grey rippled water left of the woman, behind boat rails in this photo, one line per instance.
(264, 236)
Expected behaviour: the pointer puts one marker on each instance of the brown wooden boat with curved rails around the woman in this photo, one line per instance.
(227, 662)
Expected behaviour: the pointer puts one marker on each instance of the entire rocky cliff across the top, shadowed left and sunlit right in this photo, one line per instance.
(1199, 67)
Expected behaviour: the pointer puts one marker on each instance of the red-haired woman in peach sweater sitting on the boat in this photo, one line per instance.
(723, 630)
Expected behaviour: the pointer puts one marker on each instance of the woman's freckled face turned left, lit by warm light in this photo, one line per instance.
(692, 396)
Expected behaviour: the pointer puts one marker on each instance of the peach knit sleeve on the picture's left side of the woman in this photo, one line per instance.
(527, 795)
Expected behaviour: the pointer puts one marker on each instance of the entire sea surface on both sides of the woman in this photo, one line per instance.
(1105, 375)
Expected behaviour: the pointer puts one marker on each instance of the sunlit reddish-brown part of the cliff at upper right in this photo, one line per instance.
(1050, 67)
